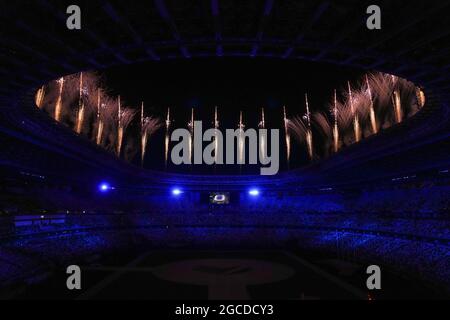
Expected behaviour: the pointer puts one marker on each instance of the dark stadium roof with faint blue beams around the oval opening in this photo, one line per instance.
(36, 47)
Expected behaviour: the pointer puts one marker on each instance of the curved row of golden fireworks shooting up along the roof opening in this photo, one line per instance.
(374, 104)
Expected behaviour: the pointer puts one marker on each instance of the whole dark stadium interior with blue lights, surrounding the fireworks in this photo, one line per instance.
(309, 232)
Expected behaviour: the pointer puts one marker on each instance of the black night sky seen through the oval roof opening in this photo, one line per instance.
(232, 84)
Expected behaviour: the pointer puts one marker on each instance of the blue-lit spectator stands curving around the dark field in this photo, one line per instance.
(407, 228)
